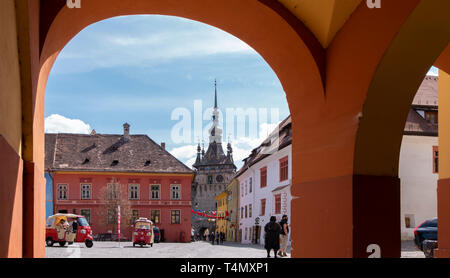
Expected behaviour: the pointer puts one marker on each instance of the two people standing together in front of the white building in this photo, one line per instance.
(276, 236)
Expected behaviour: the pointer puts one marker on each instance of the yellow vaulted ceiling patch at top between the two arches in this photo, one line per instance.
(323, 17)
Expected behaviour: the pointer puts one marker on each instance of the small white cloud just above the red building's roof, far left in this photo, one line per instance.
(56, 123)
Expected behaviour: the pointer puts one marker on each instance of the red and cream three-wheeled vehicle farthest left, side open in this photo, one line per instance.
(70, 228)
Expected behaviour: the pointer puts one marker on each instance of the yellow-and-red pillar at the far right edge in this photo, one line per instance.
(443, 189)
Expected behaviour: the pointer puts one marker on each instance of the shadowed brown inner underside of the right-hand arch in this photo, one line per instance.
(419, 43)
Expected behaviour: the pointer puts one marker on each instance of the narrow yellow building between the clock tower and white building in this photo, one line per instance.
(233, 210)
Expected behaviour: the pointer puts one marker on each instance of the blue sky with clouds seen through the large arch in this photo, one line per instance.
(138, 69)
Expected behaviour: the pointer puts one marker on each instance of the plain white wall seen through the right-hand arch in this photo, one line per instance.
(418, 182)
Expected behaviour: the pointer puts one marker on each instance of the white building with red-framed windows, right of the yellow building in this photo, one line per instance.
(265, 184)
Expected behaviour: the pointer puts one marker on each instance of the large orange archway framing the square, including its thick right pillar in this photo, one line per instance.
(331, 91)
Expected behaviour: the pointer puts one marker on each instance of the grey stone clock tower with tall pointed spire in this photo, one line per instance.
(214, 170)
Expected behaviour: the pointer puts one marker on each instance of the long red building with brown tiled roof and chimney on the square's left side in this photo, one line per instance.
(94, 174)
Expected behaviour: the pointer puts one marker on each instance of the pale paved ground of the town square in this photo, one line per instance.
(199, 249)
